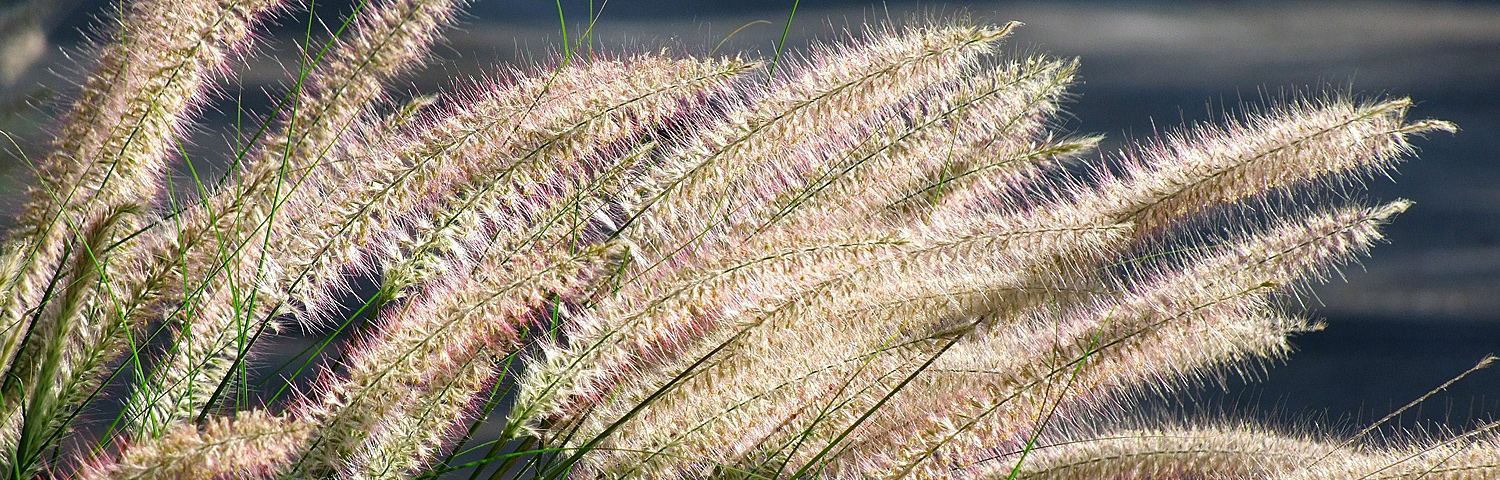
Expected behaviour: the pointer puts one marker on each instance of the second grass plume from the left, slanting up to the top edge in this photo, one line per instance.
(233, 226)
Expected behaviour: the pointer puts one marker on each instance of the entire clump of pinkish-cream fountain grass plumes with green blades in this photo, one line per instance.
(878, 263)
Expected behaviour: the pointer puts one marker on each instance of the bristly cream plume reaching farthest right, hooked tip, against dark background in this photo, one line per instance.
(1297, 143)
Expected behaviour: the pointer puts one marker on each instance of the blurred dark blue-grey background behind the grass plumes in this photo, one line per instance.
(1420, 311)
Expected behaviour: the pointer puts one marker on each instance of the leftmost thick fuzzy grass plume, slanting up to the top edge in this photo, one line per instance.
(106, 166)
